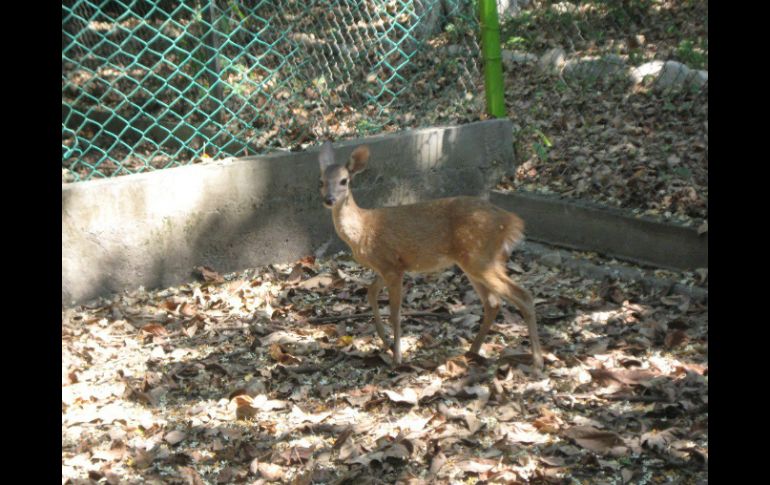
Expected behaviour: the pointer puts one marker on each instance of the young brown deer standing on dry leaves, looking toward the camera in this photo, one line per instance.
(425, 237)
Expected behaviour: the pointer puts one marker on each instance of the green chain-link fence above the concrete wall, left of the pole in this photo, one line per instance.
(149, 85)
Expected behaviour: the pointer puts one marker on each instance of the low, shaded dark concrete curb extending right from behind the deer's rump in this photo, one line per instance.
(583, 226)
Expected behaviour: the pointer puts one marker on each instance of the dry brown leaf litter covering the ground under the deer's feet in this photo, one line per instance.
(257, 378)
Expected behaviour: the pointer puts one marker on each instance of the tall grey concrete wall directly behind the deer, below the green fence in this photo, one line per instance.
(152, 229)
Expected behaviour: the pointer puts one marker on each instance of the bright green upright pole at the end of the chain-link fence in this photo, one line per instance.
(493, 65)
